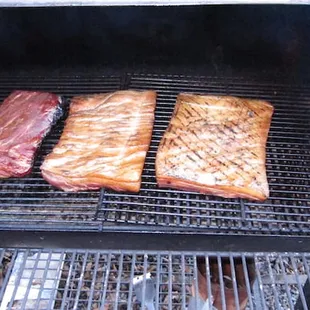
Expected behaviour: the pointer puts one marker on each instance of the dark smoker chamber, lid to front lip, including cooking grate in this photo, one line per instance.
(249, 51)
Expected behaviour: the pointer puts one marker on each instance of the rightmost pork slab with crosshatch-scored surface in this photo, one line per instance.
(216, 145)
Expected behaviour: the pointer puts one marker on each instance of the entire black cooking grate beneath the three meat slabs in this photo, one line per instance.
(30, 203)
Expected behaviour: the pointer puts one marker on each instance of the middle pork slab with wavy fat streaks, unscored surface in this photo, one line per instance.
(104, 142)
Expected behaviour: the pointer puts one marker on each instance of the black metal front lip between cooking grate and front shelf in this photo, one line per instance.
(152, 242)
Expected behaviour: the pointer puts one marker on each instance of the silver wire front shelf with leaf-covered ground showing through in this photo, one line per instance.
(81, 279)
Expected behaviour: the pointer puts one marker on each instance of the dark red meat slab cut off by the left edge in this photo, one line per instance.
(25, 118)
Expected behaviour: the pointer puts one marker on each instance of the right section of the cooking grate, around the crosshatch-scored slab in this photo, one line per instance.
(288, 168)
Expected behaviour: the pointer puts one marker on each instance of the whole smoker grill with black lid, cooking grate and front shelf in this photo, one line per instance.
(82, 250)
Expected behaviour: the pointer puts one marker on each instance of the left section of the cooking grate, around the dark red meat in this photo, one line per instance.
(32, 203)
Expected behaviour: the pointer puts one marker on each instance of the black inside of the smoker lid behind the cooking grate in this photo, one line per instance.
(167, 39)
